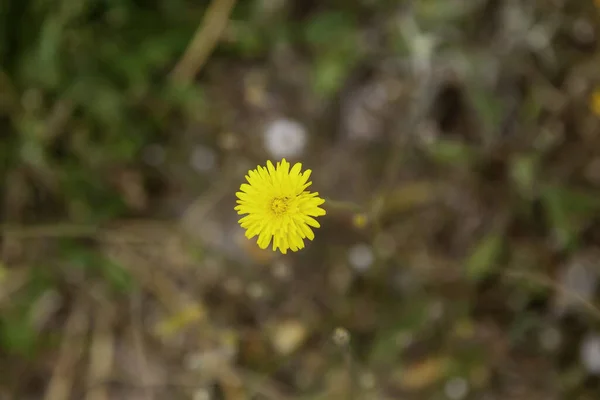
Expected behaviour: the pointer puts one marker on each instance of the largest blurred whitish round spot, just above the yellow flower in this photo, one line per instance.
(285, 138)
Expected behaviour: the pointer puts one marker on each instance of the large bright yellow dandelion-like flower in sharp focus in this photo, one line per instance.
(278, 206)
